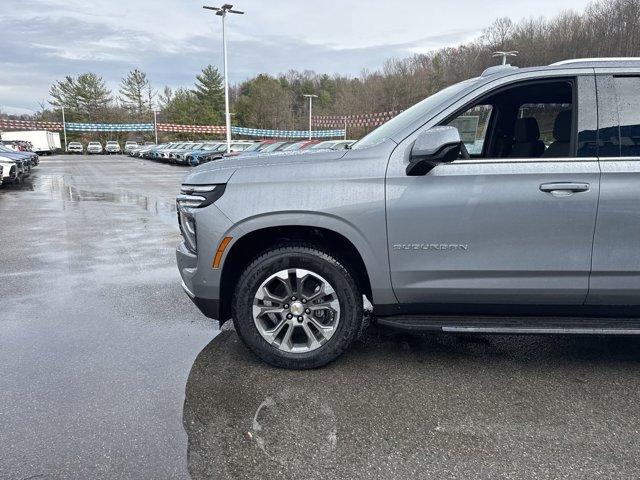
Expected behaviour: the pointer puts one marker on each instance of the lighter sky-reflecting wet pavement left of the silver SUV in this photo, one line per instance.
(96, 336)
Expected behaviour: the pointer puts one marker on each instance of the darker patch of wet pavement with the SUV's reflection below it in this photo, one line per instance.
(419, 407)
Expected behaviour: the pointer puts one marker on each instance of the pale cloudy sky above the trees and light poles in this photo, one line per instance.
(41, 41)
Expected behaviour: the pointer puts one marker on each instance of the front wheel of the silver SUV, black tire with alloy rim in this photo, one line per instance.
(313, 265)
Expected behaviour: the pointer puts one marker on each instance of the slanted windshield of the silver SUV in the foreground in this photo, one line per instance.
(406, 118)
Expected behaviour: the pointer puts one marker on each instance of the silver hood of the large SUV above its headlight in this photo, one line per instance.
(220, 171)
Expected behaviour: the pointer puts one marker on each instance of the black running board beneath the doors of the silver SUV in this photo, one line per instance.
(514, 325)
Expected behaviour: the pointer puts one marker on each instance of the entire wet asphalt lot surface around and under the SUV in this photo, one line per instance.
(108, 371)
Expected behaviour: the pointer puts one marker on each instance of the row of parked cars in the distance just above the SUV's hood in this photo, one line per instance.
(194, 153)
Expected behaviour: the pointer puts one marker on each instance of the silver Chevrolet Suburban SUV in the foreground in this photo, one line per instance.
(508, 203)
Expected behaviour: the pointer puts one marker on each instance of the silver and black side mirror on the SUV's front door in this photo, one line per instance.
(433, 147)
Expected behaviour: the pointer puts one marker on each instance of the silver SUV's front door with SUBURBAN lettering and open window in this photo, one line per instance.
(514, 223)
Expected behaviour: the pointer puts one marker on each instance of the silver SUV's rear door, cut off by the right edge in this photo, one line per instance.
(615, 278)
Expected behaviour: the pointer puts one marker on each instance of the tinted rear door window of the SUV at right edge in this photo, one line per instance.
(628, 93)
